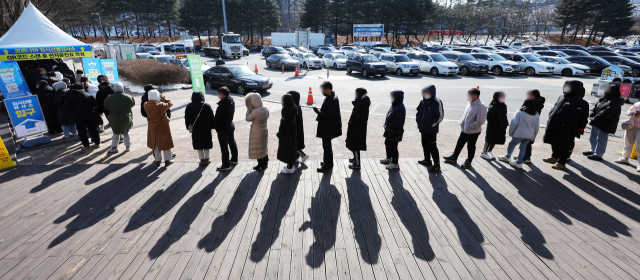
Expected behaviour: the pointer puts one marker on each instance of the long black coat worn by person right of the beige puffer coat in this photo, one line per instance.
(287, 150)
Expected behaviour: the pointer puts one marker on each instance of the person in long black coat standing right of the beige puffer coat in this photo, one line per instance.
(287, 149)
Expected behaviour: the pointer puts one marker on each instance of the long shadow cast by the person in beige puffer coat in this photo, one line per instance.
(226, 222)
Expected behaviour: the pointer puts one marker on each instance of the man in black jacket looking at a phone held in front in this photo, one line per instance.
(329, 124)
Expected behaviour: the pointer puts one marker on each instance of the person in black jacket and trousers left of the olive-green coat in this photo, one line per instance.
(81, 105)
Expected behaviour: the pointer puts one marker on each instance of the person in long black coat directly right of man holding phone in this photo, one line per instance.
(357, 127)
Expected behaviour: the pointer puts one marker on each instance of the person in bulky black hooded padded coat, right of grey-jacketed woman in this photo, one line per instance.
(564, 123)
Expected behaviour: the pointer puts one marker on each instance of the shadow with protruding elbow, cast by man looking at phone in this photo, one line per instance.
(325, 207)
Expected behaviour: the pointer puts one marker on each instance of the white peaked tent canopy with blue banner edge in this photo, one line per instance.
(34, 36)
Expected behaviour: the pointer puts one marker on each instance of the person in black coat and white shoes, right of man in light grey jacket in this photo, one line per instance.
(497, 123)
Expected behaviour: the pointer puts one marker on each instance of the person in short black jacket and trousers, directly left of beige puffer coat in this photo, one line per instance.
(224, 127)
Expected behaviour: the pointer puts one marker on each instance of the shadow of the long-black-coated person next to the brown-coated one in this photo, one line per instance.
(163, 200)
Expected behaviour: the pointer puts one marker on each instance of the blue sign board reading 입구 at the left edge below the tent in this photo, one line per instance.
(26, 115)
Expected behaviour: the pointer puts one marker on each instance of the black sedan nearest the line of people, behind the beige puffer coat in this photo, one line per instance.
(236, 77)
